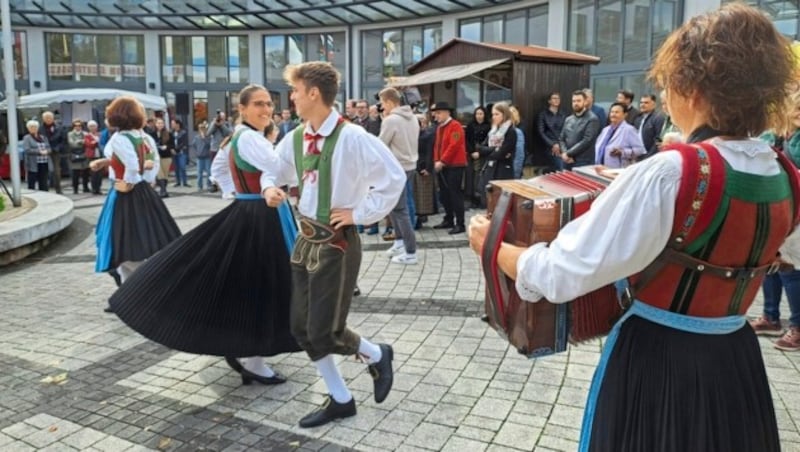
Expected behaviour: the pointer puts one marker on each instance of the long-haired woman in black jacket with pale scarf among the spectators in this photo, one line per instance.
(498, 149)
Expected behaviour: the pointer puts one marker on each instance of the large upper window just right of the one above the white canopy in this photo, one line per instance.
(204, 59)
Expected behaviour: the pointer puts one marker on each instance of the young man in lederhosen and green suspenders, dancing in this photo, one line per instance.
(346, 176)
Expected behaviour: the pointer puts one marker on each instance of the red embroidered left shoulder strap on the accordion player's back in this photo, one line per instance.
(699, 196)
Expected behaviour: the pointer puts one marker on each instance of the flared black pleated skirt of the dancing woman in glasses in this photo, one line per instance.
(221, 289)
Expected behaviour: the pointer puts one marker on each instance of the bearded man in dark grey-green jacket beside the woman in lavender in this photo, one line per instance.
(576, 143)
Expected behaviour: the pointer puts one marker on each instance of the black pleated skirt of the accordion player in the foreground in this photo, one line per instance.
(666, 390)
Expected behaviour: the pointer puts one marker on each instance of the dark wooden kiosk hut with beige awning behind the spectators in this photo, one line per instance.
(468, 74)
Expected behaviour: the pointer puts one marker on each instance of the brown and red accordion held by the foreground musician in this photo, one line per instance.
(524, 212)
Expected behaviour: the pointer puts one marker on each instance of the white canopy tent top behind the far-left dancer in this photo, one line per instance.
(78, 95)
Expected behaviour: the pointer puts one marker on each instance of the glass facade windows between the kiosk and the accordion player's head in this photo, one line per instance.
(624, 34)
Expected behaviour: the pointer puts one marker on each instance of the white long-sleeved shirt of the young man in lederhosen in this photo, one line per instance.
(365, 176)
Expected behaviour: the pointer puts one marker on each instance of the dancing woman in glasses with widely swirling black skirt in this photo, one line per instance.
(228, 290)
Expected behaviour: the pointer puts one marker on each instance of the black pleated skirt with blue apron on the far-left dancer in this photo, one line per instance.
(138, 226)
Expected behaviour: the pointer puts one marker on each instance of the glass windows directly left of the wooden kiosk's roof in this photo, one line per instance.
(389, 53)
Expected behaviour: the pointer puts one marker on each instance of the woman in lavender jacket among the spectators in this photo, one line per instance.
(619, 144)
